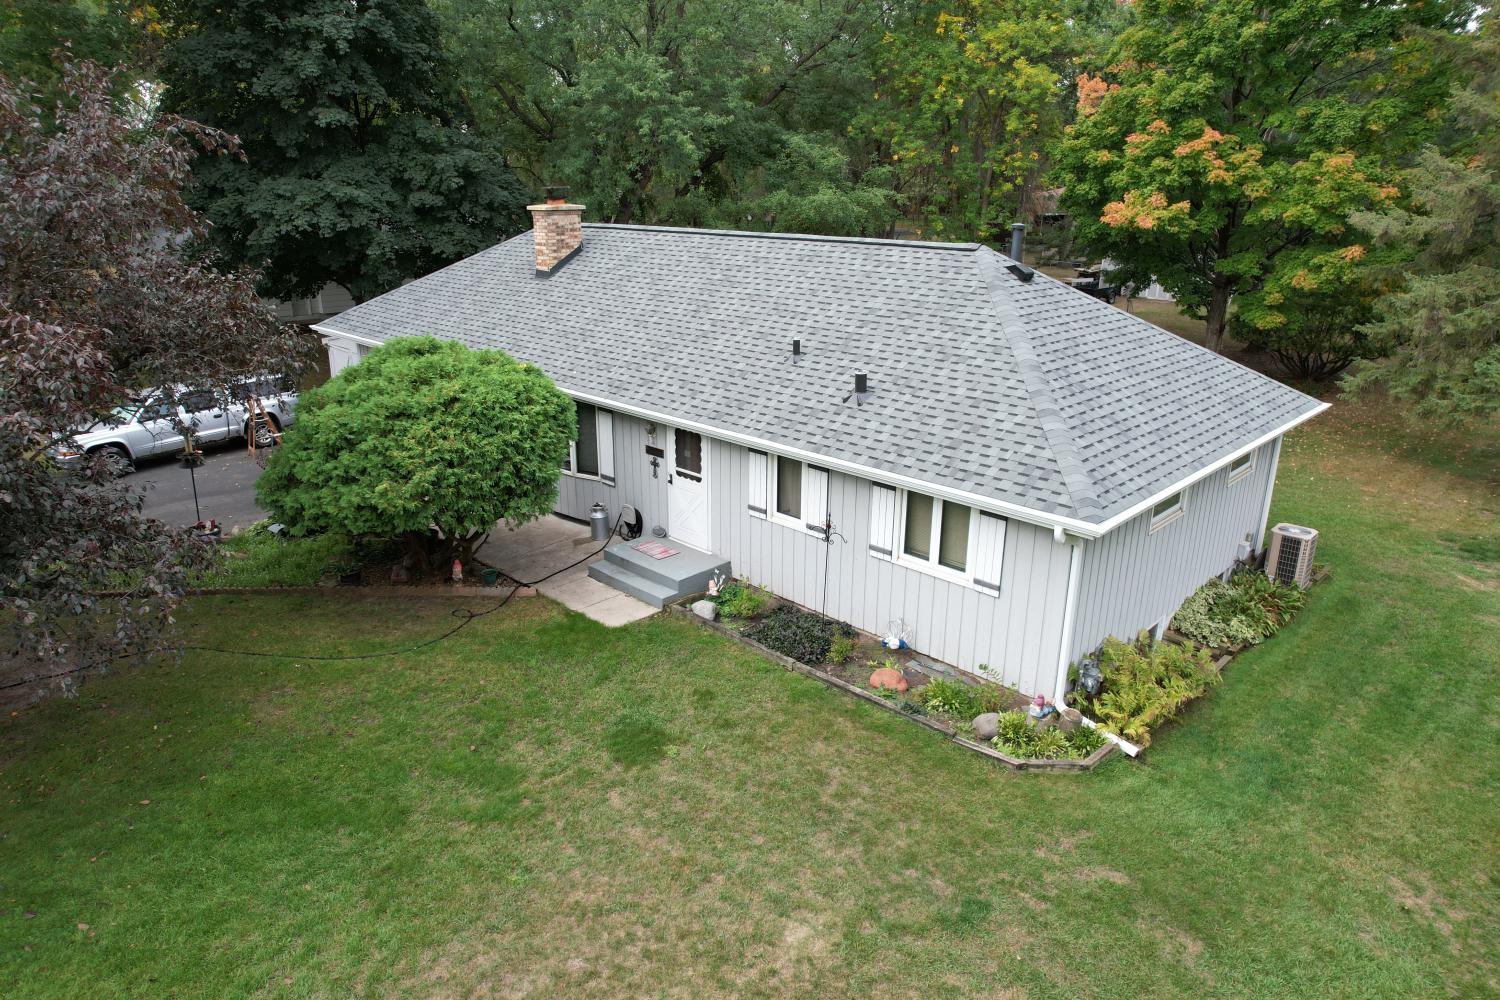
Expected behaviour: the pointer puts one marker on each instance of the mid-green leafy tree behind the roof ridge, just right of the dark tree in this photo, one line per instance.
(685, 113)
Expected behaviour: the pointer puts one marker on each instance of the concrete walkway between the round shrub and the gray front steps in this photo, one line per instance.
(538, 549)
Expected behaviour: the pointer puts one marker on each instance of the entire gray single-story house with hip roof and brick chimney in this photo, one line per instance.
(1027, 473)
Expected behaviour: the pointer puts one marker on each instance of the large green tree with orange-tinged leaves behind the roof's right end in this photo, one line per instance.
(1228, 143)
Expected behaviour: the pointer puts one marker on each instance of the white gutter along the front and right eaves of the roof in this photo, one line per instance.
(1057, 522)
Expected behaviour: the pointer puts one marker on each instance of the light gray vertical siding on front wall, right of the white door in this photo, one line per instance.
(1015, 635)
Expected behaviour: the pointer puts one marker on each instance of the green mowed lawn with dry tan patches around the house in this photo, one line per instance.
(542, 807)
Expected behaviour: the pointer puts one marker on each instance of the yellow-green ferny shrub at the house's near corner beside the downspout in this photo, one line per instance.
(1145, 684)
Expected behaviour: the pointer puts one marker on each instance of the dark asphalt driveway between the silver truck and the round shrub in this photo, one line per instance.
(226, 488)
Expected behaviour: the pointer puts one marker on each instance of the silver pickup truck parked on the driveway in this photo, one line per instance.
(152, 425)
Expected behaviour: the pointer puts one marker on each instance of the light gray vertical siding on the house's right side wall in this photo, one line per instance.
(1135, 578)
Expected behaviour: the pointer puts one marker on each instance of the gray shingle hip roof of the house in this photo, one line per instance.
(1025, 394)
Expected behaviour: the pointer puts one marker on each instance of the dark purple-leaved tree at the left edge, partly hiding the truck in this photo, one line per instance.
(101, 296)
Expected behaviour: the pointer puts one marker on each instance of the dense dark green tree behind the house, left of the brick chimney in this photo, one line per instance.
(361, 166)
